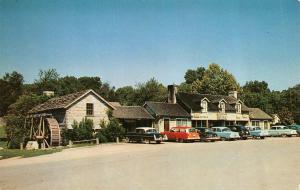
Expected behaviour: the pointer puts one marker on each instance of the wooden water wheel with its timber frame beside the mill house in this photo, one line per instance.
(44, 128)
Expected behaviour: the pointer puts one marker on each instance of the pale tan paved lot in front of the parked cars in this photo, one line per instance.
(254, 164)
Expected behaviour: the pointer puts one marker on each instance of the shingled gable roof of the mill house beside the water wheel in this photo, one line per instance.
(62, 102)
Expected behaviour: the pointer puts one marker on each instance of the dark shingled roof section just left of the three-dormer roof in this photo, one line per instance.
(166, 109)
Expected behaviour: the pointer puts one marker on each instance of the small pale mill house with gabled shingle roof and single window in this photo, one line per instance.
(75, 107)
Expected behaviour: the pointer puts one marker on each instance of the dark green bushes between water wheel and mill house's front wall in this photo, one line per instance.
(81, 131)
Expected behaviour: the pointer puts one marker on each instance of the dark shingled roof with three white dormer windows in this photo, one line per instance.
(193, 101)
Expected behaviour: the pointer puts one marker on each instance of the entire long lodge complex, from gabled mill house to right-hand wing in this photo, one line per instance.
(181, 109)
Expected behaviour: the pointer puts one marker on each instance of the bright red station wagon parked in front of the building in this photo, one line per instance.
(182, 134)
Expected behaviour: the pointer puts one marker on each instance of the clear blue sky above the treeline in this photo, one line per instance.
(126, 42)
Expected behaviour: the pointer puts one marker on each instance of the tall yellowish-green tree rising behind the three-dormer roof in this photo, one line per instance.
(215, 81)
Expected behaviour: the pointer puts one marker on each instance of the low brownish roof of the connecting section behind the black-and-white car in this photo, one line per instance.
(131, 112)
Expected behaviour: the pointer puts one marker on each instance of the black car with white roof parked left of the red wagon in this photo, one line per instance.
(145, 134)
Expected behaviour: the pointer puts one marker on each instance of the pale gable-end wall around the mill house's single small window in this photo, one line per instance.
(78, 111)
